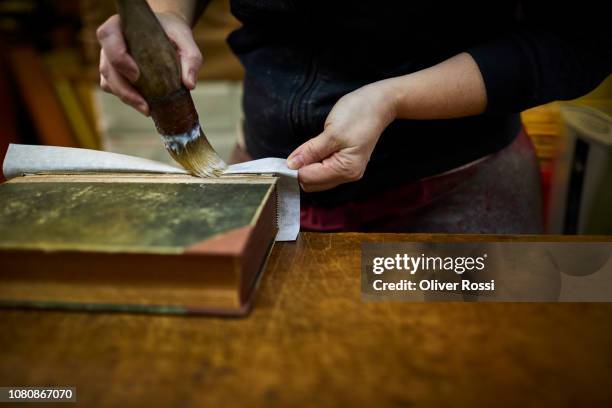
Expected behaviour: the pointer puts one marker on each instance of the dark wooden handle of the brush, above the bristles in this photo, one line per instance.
(159, 82)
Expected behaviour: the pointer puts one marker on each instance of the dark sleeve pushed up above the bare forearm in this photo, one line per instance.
(554, 52)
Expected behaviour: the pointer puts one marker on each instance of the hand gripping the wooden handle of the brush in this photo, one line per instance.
(118, 71)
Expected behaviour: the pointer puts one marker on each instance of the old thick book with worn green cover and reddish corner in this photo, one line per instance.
(136, 242)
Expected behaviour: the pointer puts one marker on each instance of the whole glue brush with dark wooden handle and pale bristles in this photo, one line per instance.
(160, 84)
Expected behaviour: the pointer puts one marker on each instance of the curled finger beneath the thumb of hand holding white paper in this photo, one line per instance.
(332, 171)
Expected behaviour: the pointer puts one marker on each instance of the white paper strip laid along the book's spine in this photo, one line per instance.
(29, 159)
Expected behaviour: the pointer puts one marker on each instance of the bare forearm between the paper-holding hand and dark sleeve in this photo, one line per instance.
(454, 88)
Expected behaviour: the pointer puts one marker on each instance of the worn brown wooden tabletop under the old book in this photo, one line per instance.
(311, 340)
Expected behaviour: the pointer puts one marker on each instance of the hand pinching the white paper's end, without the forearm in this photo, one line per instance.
(352, 129)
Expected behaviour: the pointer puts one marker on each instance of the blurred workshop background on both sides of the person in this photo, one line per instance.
(49, 94)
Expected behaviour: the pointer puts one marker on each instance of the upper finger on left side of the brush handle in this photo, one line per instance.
(112, 42)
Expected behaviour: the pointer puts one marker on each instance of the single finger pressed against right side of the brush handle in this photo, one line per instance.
(189, 53)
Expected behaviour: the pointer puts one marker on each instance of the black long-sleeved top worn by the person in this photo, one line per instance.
(301, 56)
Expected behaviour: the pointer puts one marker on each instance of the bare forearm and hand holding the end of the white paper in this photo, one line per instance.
(451, 89)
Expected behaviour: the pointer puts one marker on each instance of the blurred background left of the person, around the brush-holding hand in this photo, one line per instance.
(49, 80)
